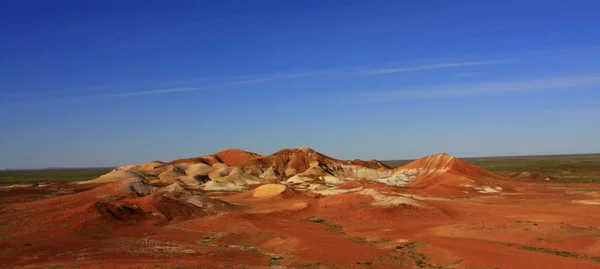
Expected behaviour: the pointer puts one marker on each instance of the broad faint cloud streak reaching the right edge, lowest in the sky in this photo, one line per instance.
(462, 90)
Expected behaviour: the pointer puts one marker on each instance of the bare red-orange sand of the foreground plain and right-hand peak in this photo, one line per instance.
(534, 226)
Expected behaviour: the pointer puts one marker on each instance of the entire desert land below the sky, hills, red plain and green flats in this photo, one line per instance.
(298, 208)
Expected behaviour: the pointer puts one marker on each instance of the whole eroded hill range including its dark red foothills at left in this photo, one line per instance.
(287, 180)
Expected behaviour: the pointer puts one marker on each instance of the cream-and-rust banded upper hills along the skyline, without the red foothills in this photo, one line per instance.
(306, 169)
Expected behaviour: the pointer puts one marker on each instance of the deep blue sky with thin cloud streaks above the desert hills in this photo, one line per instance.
(102, 83)
